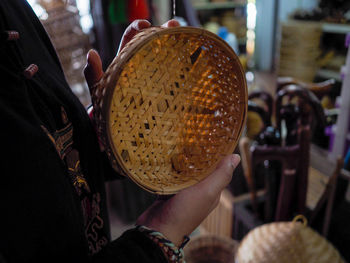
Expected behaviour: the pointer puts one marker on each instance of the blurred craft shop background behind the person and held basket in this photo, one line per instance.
(294, 54)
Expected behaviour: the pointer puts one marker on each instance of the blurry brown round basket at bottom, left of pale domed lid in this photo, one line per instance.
(211, 249)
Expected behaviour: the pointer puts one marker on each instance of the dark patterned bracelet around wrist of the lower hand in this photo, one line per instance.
(173, 253)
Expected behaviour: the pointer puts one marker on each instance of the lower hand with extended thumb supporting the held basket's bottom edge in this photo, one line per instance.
(182, 213)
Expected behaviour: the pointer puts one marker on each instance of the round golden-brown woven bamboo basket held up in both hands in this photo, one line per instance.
(170, 106)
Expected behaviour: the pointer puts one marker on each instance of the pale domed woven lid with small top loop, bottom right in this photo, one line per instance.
(286, 242)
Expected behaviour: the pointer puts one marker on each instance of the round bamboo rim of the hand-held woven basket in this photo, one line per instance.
(117, 65)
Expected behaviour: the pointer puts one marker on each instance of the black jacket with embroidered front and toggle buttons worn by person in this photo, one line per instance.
(52, 196)
